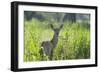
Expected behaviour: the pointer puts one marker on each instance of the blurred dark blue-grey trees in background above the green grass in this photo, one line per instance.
(58, 18)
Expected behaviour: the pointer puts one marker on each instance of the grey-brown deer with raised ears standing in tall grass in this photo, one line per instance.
(48, 46)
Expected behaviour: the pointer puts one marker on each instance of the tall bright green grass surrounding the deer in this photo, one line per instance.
(73, 43)
